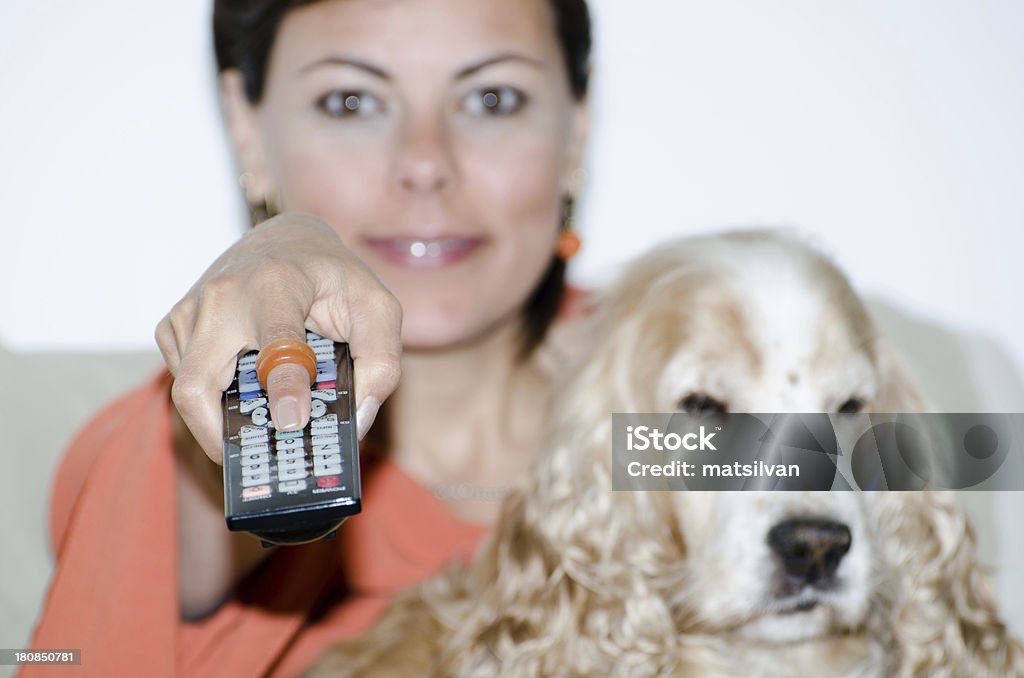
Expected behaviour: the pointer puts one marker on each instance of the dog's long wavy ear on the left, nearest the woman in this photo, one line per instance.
(575, 580)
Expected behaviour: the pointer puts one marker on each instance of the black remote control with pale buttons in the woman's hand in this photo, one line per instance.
(297, 487)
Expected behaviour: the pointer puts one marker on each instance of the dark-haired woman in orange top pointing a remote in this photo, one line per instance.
(423, 155)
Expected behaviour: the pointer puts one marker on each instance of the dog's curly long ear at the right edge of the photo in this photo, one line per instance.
(942, 618)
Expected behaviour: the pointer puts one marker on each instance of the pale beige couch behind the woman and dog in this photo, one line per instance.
(46, 398)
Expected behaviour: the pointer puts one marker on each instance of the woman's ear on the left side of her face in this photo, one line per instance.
(243, 128)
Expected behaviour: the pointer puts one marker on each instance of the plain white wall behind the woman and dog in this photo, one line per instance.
(889, 133)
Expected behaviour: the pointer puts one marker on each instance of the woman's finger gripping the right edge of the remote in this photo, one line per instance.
(375, 343)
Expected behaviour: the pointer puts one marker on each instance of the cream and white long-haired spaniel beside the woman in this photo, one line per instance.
(580, 581)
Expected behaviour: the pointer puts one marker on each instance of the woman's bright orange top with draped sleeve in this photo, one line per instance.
(115, 594)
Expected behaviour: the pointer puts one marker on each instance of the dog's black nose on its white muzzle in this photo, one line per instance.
(810, 548)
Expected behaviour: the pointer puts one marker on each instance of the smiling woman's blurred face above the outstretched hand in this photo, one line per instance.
(439, 138)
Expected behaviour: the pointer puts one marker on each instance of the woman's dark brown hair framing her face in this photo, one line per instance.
(244, 33)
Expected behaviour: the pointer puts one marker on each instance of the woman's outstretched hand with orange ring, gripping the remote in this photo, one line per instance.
(289, 274)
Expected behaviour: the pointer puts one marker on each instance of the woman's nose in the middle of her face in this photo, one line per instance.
(425, 157)
